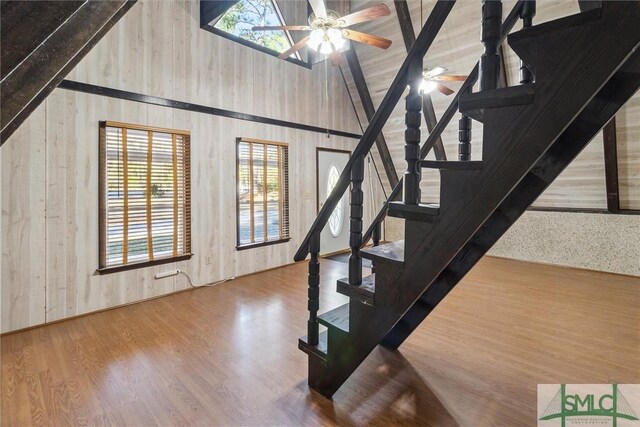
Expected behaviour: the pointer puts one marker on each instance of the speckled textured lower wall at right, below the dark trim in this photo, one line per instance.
(594, 241)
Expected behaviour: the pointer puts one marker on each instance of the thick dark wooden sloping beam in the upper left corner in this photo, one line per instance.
(39, 62)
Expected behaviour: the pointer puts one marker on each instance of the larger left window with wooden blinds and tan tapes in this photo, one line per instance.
(145, 200)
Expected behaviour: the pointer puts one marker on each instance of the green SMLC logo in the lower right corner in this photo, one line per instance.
(565, 405)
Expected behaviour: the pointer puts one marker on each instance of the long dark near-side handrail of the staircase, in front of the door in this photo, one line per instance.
(426, 37)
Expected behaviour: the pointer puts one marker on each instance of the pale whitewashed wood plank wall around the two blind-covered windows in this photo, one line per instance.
(50, 166)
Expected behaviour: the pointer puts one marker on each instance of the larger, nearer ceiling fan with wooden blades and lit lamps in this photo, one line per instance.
(329, 30)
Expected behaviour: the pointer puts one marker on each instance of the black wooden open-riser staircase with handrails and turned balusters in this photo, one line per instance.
(577, 71)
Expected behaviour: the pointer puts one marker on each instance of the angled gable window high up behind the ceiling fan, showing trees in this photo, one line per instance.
(245, 14)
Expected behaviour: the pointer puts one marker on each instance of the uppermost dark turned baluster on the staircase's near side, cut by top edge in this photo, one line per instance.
(491, 32)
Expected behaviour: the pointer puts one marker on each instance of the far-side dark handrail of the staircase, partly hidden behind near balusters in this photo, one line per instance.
(507, 26)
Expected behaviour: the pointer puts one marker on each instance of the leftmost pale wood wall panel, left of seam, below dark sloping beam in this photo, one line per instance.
(23, 225)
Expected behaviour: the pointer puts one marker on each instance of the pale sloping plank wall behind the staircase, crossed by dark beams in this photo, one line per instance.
(457, 48)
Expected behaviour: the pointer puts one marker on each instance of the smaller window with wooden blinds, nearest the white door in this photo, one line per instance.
(262, 192)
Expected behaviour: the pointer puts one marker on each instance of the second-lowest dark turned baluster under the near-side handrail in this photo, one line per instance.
(355, 234)
